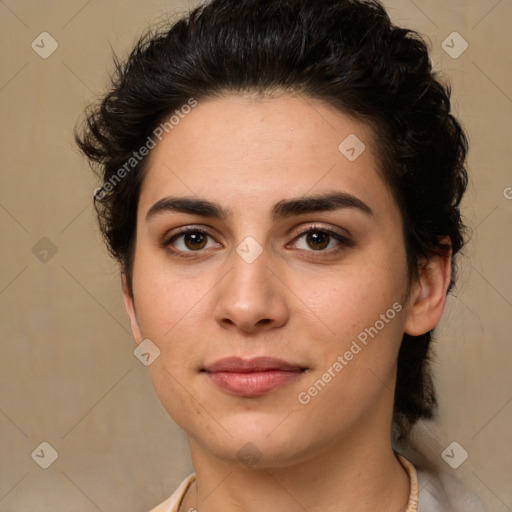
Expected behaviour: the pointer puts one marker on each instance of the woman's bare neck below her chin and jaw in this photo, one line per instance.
(342, 476)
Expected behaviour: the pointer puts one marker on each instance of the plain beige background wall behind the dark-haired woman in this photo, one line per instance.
(68, 375)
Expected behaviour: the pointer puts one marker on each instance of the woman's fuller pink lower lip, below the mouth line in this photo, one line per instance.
(253, 383)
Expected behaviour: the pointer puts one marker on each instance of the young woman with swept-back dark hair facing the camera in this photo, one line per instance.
(282, 184)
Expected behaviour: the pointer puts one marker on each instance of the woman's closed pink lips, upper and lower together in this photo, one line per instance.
(252, 377)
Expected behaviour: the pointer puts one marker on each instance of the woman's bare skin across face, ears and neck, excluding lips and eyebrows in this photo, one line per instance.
(294, 302)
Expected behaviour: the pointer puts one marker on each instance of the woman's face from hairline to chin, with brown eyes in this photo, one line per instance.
(267, 270)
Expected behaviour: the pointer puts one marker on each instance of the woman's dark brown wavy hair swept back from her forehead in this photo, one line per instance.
(346, 53)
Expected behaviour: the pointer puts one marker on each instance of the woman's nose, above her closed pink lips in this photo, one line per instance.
(250, 298)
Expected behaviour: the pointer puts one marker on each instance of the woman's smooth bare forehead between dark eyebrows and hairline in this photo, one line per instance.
(250, 151)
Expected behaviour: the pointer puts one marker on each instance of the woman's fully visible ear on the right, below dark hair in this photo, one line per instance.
(428, 296)
